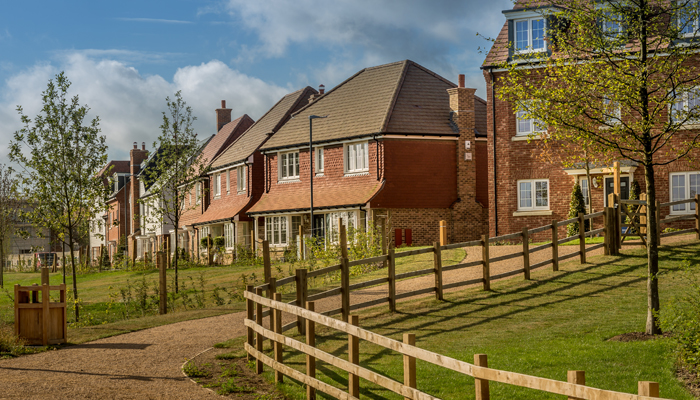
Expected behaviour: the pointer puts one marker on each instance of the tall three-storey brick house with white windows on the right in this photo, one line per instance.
(528, 192)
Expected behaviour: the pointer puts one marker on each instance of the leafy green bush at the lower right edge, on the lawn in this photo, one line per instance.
(682, 318)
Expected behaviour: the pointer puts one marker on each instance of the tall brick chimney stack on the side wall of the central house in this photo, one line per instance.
(463, 116)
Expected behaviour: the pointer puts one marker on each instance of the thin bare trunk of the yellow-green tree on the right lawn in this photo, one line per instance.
(652, 327)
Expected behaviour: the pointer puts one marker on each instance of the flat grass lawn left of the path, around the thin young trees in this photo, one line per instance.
(103, 313)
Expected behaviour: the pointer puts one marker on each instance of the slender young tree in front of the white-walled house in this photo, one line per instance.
(174, 170)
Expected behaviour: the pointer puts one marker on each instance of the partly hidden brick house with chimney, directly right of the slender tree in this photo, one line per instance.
(197, 202)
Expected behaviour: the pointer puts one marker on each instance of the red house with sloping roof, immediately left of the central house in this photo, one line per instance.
(236, 177)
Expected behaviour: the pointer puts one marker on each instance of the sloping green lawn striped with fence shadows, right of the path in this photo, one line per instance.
(557, 321)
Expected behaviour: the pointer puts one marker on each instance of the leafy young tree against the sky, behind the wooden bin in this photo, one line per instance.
(60, 157)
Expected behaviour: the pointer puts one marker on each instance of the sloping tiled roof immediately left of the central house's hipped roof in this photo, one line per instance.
(269, 123)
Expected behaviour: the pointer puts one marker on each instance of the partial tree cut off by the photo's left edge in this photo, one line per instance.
(9, 205)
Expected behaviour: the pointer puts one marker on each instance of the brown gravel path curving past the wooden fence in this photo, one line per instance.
(146, 364)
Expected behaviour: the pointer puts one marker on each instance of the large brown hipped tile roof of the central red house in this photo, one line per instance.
(401, 97)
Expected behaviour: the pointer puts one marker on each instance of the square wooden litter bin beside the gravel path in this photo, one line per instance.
(38, 320)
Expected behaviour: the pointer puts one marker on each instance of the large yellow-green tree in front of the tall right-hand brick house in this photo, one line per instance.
(617, 69)
